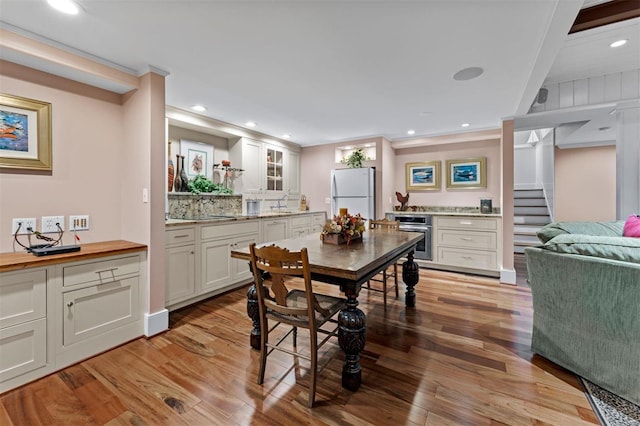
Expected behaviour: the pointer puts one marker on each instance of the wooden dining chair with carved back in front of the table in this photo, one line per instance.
(272, 266)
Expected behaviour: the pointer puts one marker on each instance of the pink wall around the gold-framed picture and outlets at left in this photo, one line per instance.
(88, 147)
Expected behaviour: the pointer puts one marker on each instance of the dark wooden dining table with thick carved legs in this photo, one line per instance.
(348, 266)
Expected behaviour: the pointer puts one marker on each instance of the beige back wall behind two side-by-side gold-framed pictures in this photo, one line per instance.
(445, 197)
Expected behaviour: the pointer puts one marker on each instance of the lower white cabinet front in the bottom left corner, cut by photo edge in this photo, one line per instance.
(23, 348)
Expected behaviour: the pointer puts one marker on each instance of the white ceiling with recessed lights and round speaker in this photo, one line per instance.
(331, 71)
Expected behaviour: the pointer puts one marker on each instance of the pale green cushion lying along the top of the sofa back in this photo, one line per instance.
(615, 248)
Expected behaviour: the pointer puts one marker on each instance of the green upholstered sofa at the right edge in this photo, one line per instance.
(585, 282)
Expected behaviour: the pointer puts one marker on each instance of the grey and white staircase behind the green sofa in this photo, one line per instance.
(530, 214)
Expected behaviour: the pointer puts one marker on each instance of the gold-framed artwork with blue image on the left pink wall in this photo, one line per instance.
(25, 133)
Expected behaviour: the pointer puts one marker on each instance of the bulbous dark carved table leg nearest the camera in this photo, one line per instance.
(351, 336)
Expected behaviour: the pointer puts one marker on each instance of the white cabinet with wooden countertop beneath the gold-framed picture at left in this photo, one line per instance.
(57, 315)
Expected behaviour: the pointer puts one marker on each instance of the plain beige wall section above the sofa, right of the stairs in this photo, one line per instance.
(585, 184)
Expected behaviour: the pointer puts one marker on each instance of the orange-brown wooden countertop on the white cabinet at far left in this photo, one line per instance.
(22, 259)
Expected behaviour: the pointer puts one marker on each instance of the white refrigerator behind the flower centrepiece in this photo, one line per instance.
(355, 190)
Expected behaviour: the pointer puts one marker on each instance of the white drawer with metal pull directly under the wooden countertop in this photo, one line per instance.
(101, 271)
